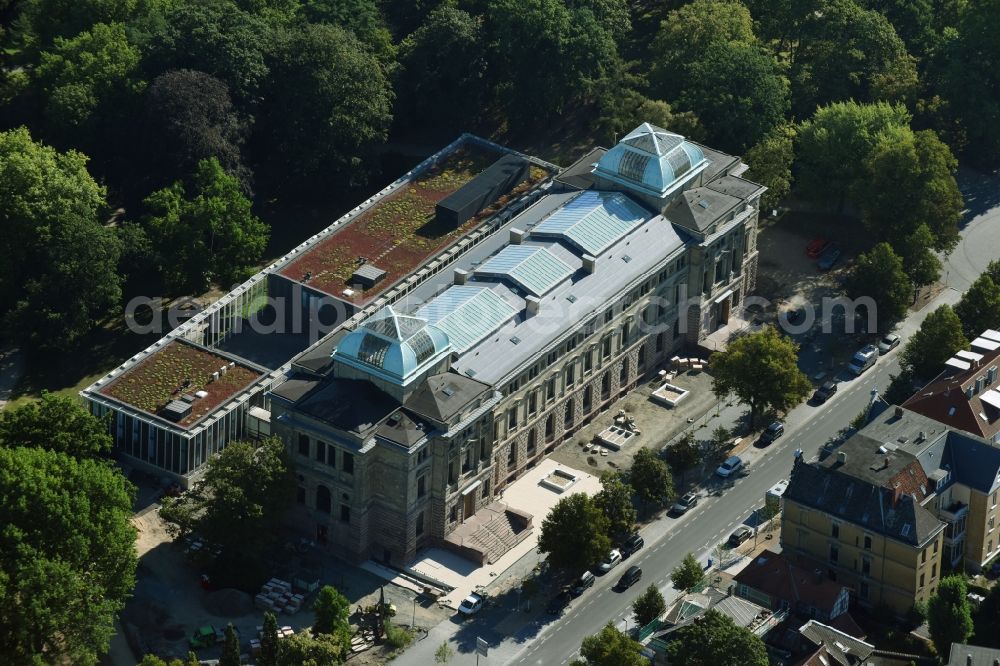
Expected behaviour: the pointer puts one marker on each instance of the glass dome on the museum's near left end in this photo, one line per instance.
(393, 346)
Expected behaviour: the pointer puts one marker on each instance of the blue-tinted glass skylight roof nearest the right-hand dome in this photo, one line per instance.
(593, 221)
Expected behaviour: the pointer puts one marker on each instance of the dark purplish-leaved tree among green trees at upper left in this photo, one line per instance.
(189, 116)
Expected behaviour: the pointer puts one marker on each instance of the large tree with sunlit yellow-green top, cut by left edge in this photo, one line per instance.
(57, 262)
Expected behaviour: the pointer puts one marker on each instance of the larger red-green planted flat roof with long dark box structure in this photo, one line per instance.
(398, 232)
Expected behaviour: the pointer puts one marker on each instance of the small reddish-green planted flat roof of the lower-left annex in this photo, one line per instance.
(177, 369)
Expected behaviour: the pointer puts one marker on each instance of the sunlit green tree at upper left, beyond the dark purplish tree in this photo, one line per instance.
(95, 70)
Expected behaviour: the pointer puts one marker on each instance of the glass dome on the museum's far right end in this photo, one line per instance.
(651, 160)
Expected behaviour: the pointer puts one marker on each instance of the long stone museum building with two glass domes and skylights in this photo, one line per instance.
(442, 399)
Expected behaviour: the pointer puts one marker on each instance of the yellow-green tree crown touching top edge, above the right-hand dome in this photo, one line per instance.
(688, 33)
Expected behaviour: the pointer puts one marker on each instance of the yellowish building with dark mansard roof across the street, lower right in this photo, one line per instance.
(899, 502)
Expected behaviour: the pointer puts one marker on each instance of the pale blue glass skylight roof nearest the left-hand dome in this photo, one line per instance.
(467, 314)
